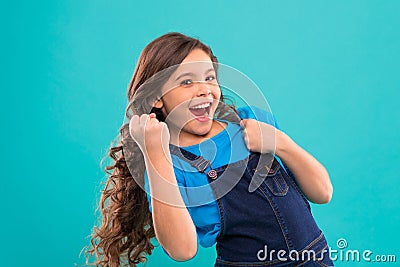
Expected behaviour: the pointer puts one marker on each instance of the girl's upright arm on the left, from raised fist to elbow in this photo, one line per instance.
(173, 225)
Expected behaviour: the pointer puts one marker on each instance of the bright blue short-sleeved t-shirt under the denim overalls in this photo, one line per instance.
(226, 147)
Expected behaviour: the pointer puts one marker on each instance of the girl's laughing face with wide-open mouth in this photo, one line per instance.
(190, 96)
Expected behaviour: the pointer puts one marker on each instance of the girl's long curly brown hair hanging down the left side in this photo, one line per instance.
(124, 236)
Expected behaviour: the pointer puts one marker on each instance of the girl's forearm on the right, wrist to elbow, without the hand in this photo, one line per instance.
(311, 176)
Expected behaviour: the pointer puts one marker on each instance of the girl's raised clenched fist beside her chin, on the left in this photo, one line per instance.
(150, 134)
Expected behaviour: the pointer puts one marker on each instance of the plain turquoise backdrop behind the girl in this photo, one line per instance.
(330, 70)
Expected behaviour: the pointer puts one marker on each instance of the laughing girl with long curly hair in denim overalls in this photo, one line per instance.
(181, 136)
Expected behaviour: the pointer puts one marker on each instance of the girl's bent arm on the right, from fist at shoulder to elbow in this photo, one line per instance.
(311, 176)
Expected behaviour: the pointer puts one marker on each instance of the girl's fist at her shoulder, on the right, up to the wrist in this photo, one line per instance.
(259, 136)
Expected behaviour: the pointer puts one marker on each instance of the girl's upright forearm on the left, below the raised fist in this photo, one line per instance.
(173, 225)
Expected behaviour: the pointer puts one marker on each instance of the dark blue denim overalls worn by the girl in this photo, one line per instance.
(255, 226)
